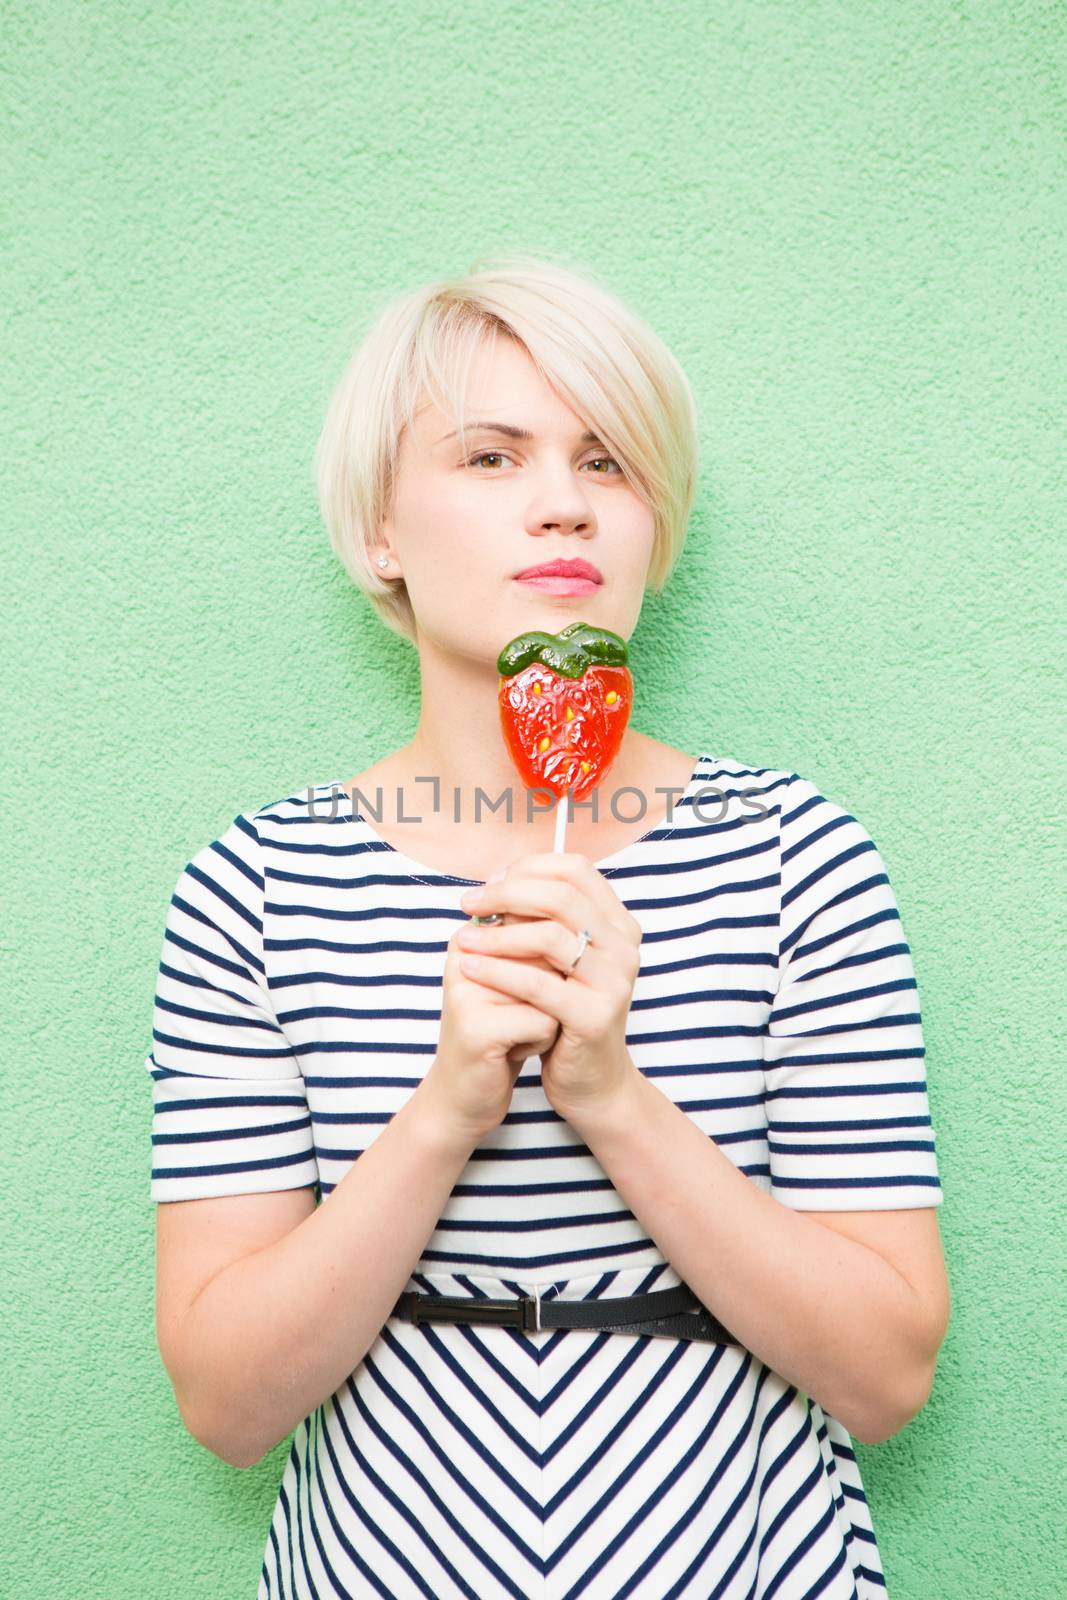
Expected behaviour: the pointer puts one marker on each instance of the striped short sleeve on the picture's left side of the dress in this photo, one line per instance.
(230, 1108)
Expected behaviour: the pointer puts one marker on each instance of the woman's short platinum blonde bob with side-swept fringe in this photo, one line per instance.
(613, 372)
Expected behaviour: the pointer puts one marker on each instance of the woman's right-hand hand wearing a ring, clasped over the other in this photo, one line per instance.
(562, 894)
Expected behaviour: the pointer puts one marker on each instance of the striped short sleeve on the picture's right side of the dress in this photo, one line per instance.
(847, 1103)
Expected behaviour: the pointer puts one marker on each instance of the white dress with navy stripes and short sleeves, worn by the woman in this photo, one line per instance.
(298, 1007)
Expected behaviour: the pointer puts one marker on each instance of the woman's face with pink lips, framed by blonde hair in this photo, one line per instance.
(463, 529)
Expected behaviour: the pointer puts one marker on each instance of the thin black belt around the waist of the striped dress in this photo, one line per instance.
(668, 1314)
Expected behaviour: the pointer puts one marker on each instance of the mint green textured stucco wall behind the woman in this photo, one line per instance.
(847, 220)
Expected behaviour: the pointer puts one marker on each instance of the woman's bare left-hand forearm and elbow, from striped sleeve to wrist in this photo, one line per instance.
(254, 1345)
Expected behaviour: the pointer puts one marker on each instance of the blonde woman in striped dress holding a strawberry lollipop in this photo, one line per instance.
(685, 1055)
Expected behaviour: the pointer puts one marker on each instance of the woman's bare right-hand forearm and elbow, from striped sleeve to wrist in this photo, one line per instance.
(849, 1306)
